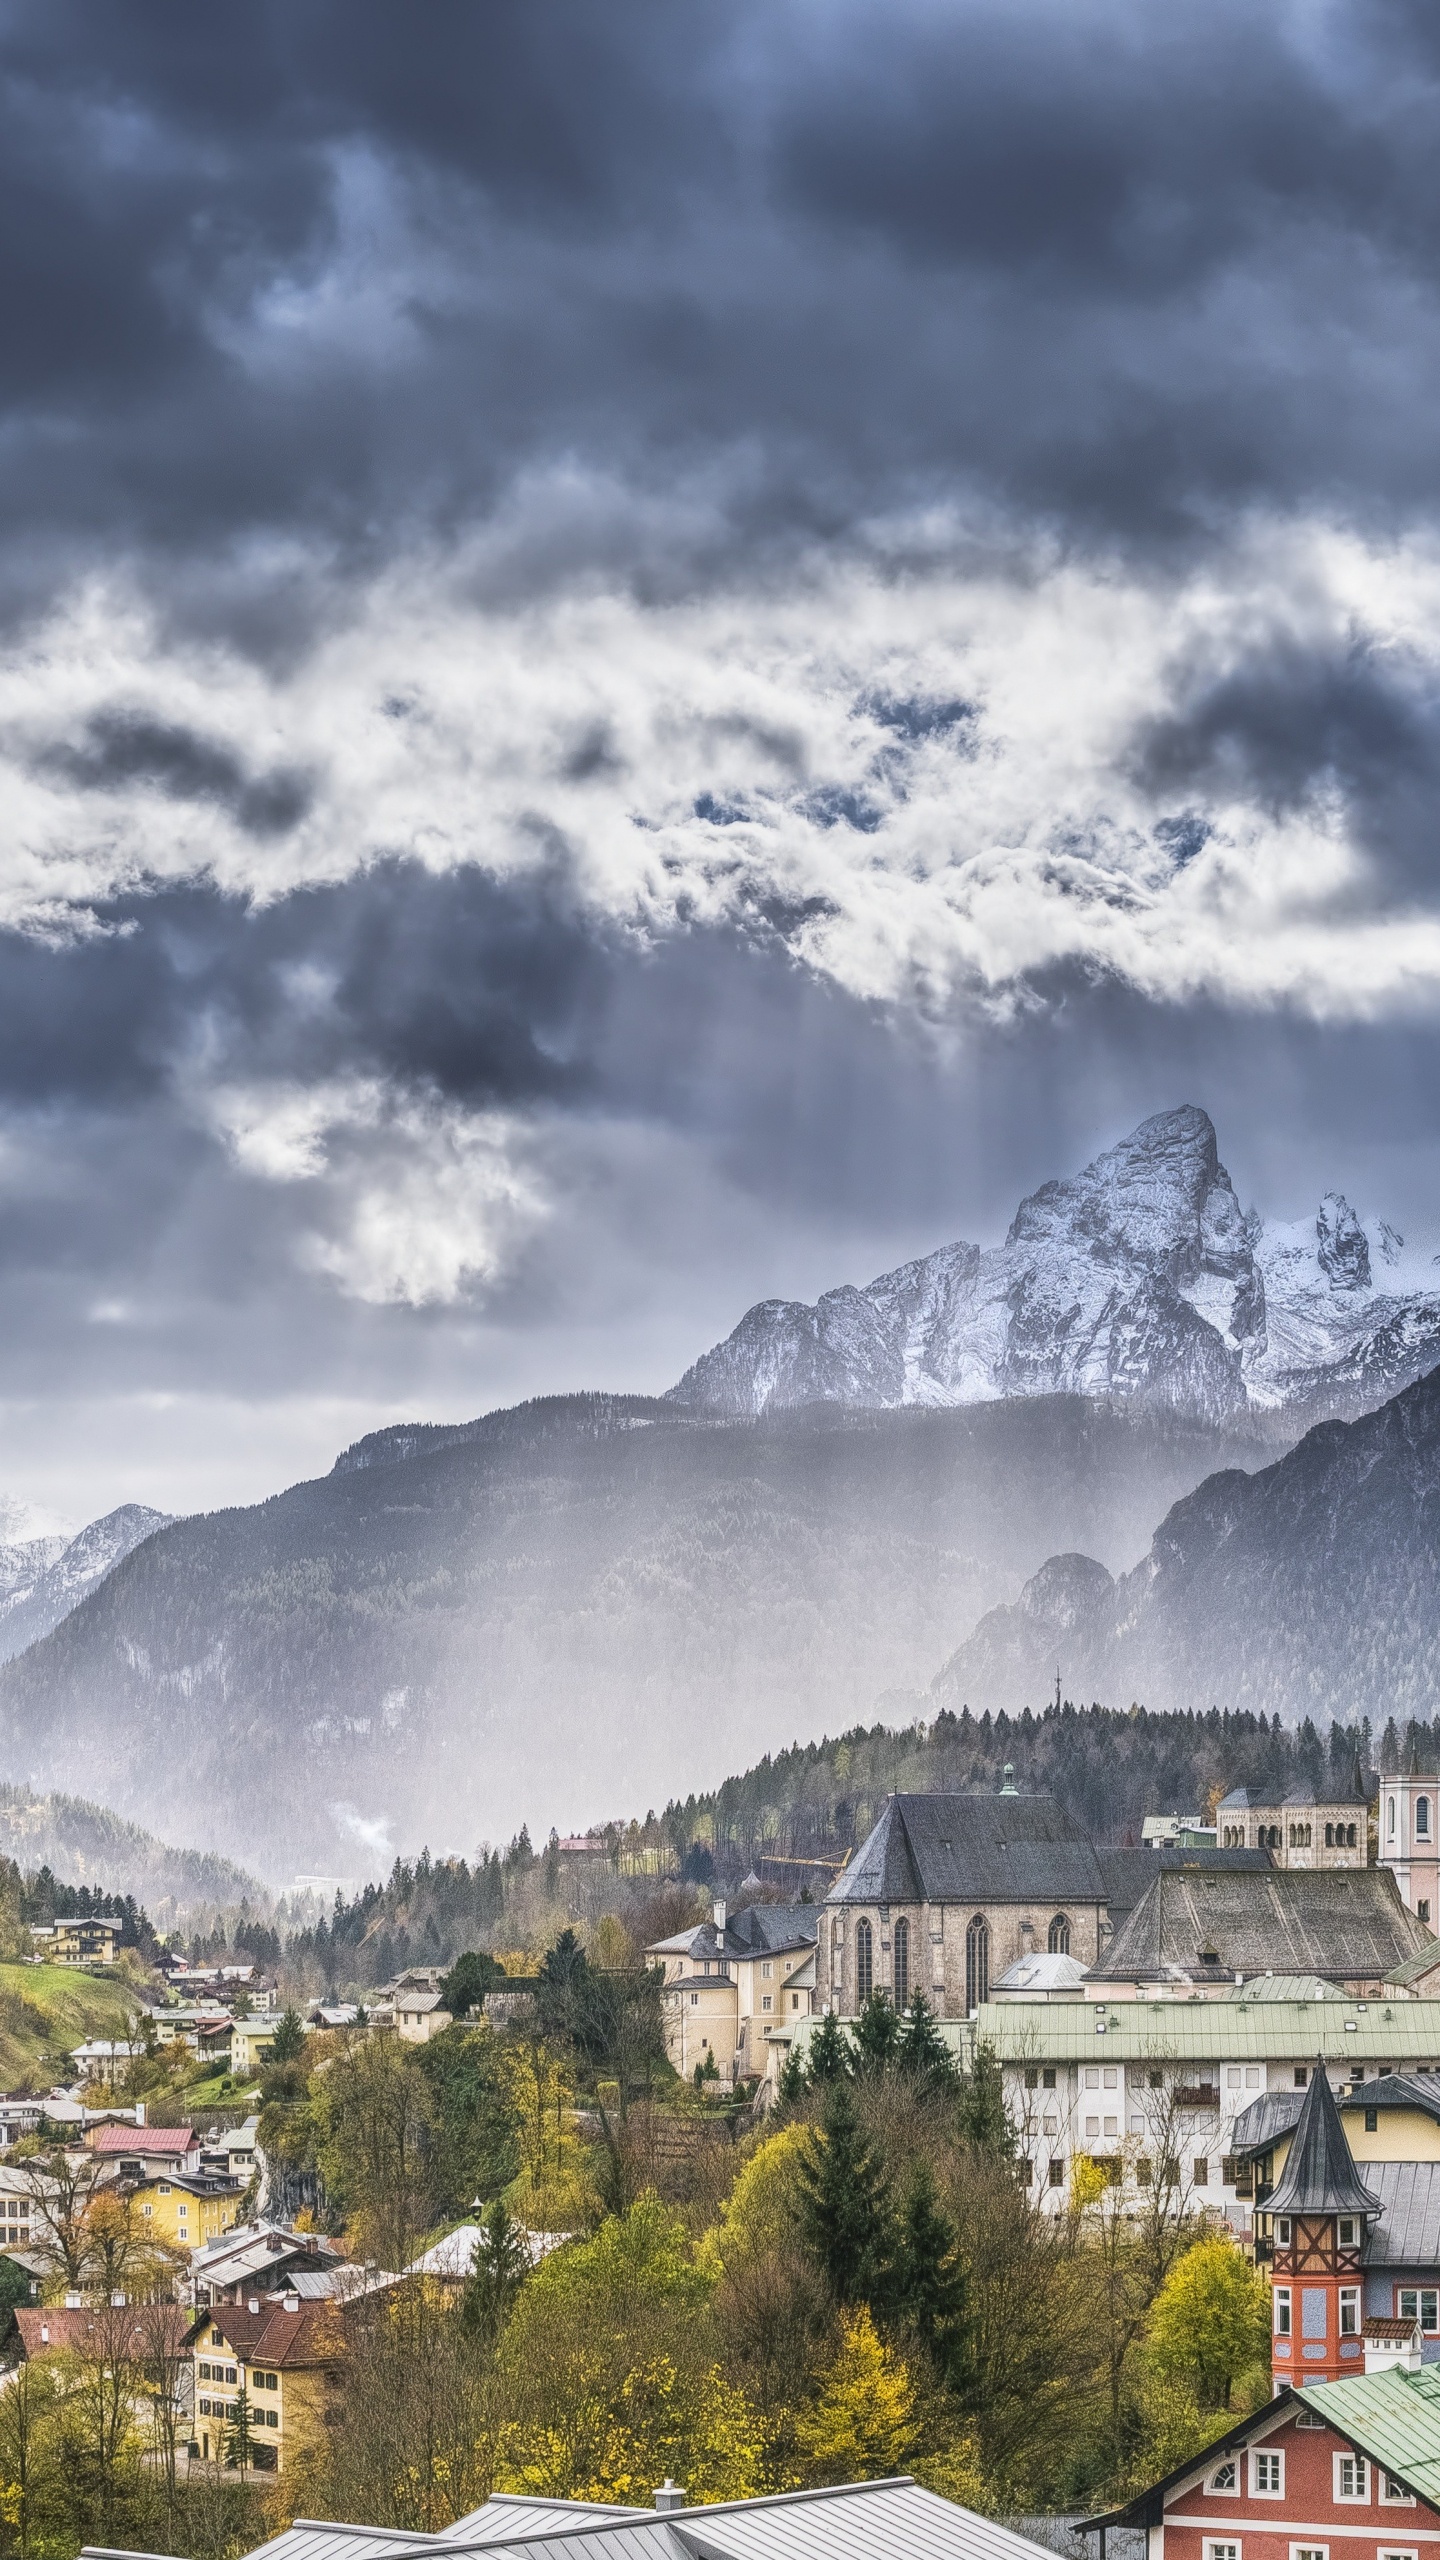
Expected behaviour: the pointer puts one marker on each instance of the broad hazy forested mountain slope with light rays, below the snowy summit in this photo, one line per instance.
(562, 1609)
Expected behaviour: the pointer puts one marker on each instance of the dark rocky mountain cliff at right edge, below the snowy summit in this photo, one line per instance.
(1311, 1588)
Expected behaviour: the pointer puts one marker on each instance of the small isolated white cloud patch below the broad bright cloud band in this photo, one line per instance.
(419, 1202)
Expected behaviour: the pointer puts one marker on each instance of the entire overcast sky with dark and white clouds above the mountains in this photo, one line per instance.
(660, 654)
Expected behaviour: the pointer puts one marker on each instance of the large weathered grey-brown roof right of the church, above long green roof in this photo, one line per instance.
(1341, 1924)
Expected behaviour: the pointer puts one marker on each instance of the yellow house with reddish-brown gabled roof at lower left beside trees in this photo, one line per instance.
(281, 2354)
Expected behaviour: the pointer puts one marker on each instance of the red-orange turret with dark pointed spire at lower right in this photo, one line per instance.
(1316, 2218)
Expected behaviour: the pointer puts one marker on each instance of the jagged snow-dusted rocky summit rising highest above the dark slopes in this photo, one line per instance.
(1136, 1279)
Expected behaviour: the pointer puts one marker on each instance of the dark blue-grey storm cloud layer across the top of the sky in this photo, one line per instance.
(1077, 257)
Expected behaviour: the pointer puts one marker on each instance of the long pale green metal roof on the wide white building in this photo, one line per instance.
(1339, 2031)
